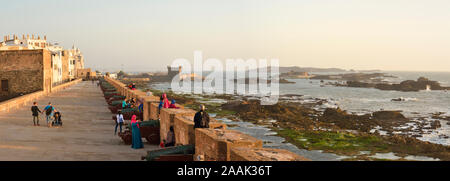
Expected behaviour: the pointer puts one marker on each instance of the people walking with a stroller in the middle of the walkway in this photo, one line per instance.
(53, 116)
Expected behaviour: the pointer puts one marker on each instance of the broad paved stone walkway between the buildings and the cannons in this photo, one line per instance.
(87, 134)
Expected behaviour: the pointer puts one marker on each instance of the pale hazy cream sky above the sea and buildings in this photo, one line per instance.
(147, 35)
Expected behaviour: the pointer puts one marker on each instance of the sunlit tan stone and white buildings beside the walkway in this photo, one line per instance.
(30, 63)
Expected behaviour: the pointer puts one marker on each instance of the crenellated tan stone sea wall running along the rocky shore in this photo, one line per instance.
(216, 143)
